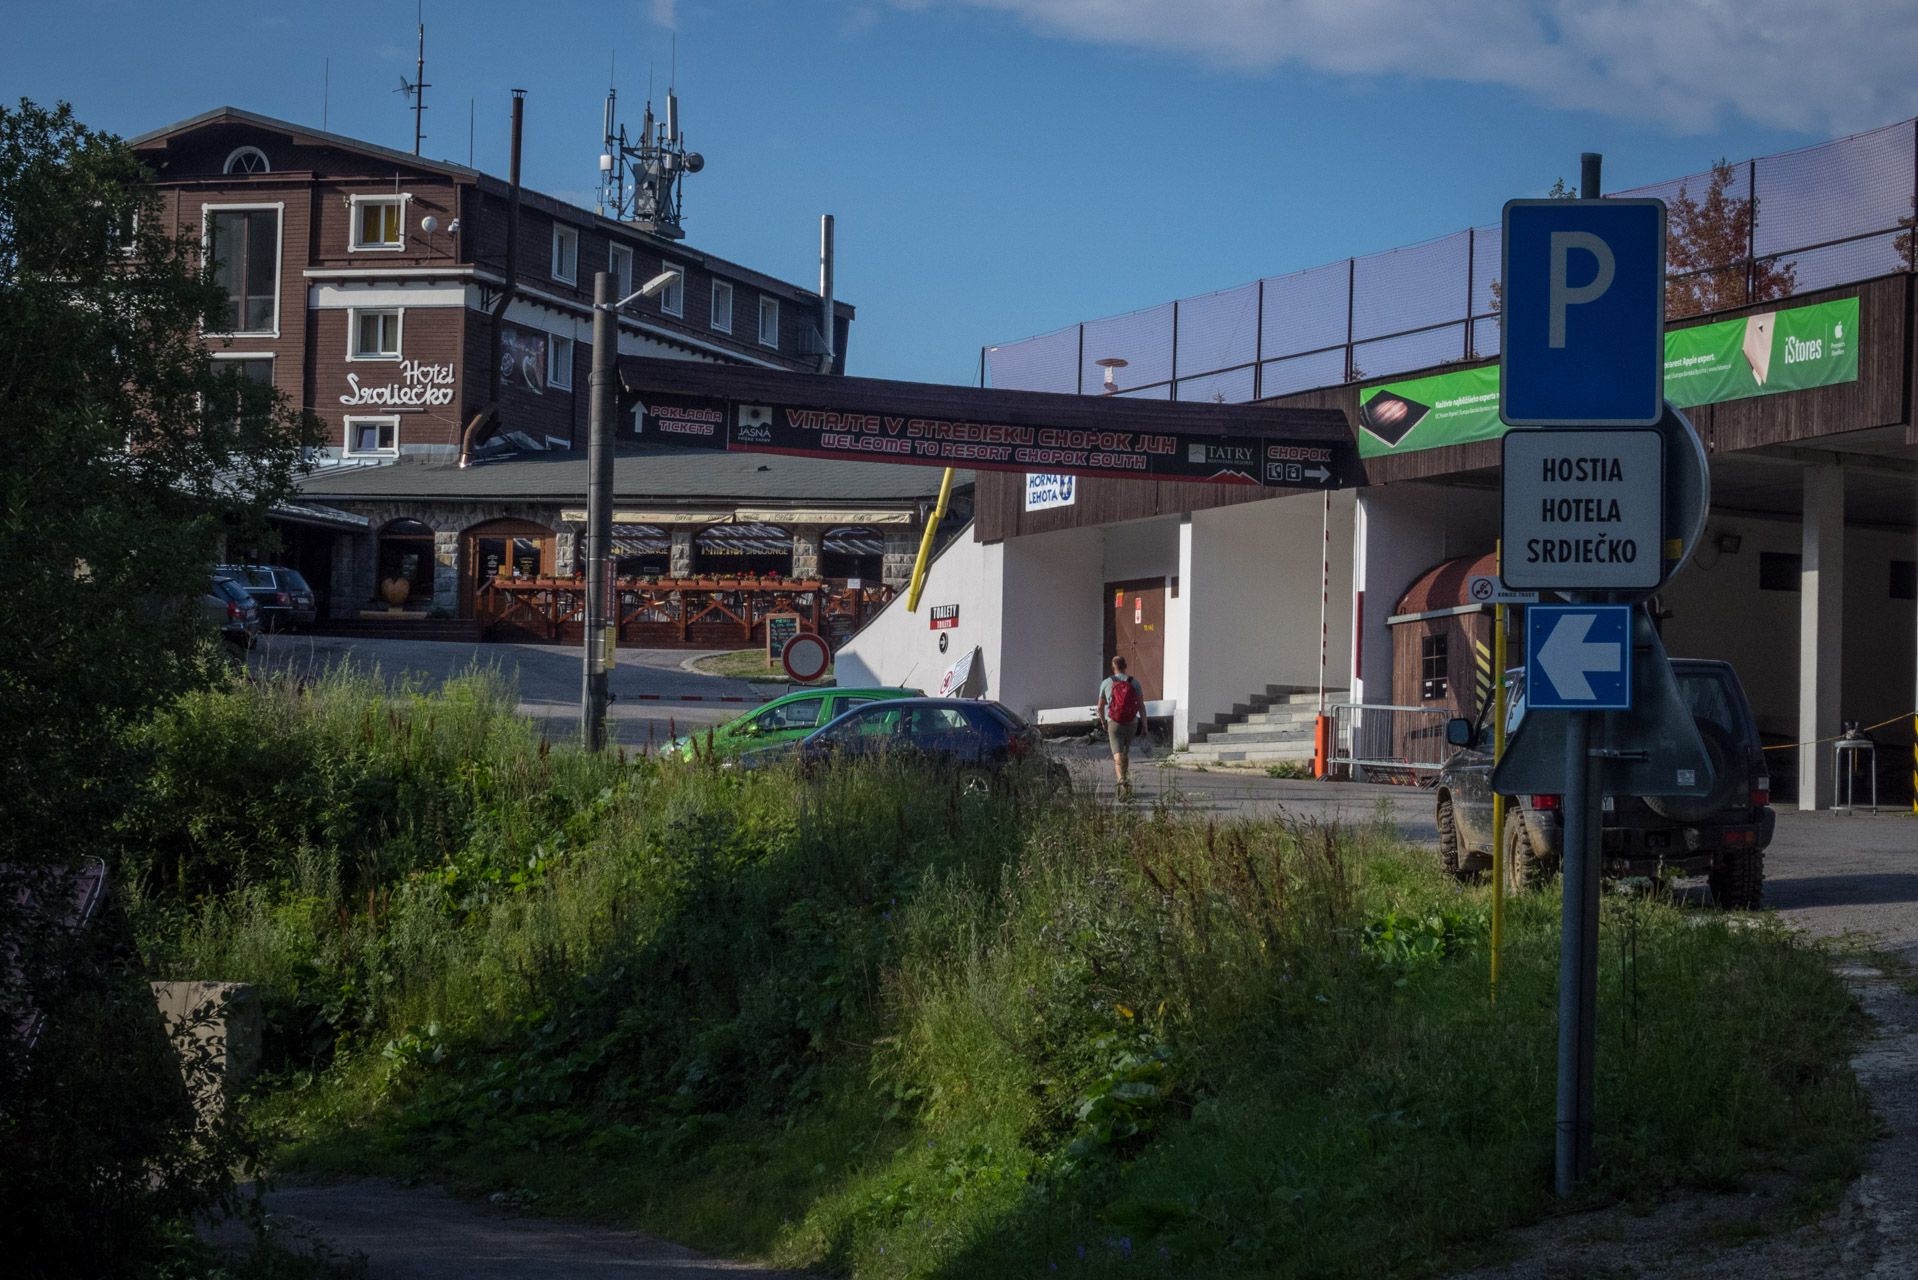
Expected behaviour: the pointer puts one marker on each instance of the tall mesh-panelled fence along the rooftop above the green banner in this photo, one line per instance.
(1823, 216)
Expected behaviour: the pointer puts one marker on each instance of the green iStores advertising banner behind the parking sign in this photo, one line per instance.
(1760, 354)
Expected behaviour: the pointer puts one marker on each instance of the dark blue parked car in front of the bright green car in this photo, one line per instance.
(981, 740)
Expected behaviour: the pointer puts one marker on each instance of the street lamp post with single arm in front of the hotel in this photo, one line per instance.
(603, 404)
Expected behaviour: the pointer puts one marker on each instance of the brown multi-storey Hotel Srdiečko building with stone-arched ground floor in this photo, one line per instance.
(363, 287)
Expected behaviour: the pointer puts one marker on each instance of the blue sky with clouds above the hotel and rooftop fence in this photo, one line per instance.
(1004, 168)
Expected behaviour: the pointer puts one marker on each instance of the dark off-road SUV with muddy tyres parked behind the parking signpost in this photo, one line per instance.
(1723, 834)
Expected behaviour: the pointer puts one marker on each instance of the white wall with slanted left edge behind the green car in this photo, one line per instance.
(902, 650)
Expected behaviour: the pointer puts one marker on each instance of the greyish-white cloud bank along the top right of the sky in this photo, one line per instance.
(1794, 64)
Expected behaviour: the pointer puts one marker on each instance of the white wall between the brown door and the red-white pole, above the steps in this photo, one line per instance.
(1251, 586)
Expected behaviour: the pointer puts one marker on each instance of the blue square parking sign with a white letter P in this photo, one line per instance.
(1583, 314)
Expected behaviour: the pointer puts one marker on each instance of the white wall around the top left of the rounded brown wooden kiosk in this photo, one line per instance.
(1399, 534)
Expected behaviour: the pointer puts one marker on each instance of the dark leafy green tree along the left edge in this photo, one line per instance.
(124, 458)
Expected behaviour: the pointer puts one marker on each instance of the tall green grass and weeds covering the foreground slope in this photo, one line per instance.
(874, 1026)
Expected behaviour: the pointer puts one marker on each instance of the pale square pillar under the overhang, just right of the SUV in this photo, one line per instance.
(1821, 628)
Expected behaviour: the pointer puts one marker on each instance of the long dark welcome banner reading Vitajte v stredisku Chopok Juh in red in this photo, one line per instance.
(709, 423)
